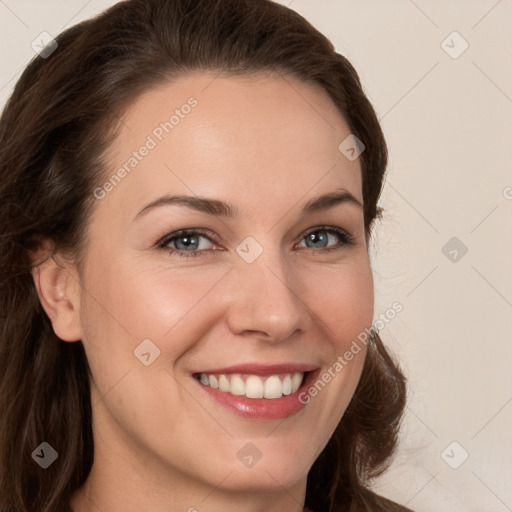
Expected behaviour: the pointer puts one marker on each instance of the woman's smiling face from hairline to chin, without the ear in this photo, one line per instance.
(260, 299)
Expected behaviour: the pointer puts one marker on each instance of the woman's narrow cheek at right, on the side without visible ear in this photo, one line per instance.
(343, 300)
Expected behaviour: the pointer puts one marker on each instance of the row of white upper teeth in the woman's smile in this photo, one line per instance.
(253, 386)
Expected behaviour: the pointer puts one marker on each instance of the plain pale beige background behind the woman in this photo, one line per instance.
(448, 122)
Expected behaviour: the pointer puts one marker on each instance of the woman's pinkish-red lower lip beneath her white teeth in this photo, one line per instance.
(262, 408)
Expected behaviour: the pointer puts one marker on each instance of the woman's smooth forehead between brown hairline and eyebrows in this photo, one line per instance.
(257, 138)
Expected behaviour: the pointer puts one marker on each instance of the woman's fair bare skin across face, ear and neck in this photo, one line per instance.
(266, 144)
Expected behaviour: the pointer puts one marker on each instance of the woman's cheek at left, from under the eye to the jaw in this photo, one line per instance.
(127, 303)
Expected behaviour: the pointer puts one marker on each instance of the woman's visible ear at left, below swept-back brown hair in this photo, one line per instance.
(58, 289)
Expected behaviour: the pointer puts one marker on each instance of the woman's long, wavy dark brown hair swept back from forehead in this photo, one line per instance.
(54, 132)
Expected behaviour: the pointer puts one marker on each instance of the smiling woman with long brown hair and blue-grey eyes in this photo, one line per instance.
(160, 337)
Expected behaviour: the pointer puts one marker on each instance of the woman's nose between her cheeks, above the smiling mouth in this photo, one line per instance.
(265, 301)
